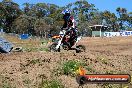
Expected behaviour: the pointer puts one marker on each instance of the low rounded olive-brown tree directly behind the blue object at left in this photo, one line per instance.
(24, 24)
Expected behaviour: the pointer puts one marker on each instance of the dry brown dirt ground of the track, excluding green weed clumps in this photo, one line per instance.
(103, 55)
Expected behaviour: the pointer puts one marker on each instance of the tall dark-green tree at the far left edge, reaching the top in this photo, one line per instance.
(9, 12)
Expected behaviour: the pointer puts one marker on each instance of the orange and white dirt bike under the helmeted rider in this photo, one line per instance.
(65, 40)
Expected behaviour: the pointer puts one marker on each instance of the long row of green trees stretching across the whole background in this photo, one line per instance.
(43, 18)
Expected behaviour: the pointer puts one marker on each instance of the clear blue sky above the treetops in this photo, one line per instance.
(102, 5)
